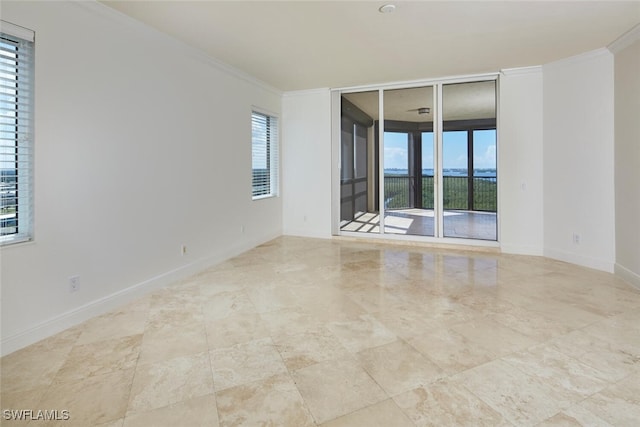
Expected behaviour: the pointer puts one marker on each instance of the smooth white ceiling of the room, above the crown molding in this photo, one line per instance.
(294, 45)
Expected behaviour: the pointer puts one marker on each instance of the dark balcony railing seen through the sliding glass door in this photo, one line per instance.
(398, 190)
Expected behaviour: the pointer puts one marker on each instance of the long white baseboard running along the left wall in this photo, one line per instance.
(109, 302)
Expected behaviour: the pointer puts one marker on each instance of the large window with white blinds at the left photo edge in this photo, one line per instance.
(16, 133)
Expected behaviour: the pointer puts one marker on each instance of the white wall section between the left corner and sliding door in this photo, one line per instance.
(306, 163)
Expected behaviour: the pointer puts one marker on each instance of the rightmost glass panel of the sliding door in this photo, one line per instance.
(469, 172)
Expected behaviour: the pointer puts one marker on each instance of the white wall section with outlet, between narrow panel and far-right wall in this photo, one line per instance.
(578, 160)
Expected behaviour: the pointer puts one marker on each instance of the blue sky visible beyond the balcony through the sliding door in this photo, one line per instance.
(454, 150)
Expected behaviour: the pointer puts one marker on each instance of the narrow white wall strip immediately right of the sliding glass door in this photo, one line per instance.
(520, 161)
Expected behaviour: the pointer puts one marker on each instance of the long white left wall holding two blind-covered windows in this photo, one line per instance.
(142, 145)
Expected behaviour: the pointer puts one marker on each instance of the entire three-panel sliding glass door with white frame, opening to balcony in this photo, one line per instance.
(420, 161)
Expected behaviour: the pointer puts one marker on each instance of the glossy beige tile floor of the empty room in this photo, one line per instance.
(305, 332)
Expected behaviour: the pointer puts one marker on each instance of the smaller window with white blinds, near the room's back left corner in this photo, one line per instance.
(264, 155)
